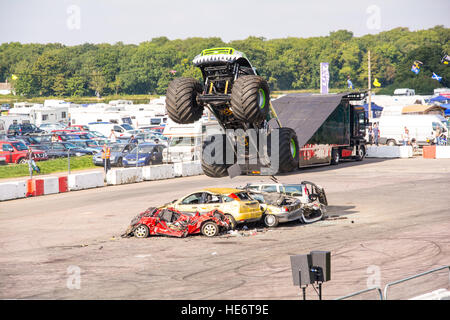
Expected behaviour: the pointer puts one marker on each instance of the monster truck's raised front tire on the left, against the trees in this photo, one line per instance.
(181, 100)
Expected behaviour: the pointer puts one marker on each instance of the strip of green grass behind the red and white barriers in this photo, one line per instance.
(49, 166)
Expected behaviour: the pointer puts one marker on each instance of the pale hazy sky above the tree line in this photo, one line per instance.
(74, 22)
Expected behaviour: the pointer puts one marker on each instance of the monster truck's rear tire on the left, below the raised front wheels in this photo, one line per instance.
(217, 169)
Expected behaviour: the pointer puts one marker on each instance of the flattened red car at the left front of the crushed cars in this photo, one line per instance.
(171, 222)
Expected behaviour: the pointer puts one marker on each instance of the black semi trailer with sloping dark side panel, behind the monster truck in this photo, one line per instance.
(328, 127)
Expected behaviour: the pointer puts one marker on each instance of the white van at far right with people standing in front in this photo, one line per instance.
(420, 127)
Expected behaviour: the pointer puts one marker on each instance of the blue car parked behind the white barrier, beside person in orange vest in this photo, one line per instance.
(146, 154)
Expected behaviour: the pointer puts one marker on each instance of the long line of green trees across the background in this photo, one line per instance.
(287, 64)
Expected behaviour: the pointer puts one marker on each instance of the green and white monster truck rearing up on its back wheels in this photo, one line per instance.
(240, 100)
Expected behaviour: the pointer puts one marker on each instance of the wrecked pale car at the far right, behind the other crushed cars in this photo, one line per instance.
(311, 196)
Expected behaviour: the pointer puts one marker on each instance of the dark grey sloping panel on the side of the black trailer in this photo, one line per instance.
(305, 113)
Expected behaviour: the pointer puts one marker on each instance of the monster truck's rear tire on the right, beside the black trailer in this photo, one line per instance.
(288, 152)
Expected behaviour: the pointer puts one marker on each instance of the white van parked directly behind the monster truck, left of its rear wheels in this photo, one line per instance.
(185, 140)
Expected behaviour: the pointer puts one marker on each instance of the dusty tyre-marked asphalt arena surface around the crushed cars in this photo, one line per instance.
(387, 219)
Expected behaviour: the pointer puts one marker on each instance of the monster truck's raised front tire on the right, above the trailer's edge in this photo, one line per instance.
(250, 98)
